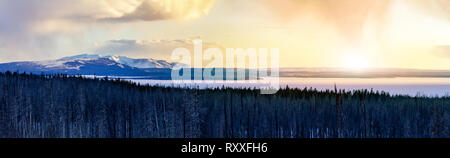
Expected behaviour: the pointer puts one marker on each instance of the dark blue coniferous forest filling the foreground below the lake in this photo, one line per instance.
(55, 106)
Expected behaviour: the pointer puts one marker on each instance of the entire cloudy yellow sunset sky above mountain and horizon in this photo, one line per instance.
(309, 33)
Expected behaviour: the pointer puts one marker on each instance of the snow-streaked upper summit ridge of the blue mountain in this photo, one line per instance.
(138, 63)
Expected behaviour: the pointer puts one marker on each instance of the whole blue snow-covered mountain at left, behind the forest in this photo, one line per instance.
(93, 64)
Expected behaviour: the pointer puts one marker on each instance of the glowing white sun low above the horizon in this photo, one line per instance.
(354, 61)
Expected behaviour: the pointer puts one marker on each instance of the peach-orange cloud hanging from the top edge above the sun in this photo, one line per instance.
(348, 16)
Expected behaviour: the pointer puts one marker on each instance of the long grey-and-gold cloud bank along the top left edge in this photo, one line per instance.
(48, 15)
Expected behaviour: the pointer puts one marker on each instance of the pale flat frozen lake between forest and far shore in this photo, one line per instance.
(399, 85)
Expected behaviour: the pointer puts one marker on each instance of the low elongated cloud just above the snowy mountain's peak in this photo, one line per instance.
(147, 48)
